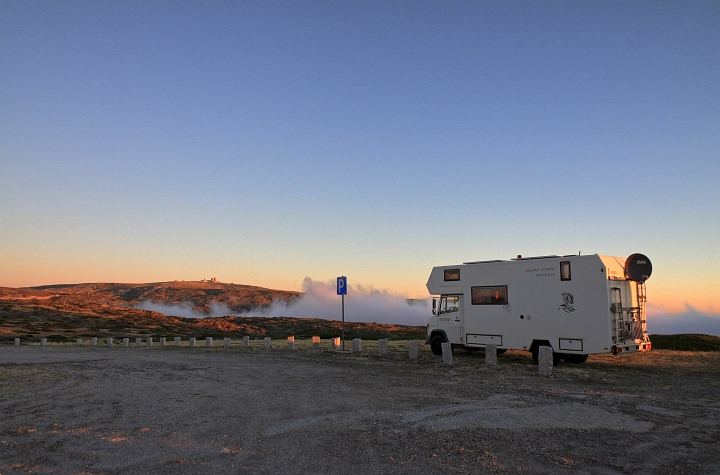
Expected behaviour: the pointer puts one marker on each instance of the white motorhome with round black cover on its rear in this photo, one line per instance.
(578, 305)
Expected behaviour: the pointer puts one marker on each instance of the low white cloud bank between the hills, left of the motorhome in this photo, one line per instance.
(362, 304)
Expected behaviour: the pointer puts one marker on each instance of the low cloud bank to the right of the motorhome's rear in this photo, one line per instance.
(689, 320)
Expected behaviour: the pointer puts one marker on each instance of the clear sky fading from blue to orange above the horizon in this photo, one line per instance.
(268, 142)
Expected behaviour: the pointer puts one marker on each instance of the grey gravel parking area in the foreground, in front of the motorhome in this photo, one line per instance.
(96, 410)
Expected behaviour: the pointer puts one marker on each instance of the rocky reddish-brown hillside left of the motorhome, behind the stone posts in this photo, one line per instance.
(68, 311)
